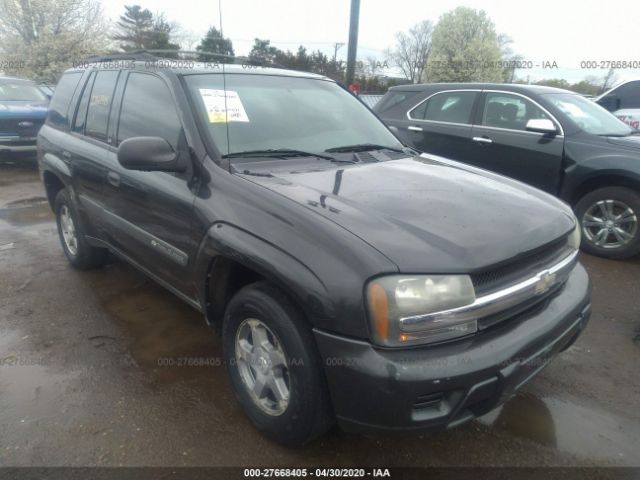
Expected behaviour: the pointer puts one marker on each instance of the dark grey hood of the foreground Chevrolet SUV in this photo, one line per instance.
(426, 215)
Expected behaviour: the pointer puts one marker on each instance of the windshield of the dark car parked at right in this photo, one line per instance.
(589, 116)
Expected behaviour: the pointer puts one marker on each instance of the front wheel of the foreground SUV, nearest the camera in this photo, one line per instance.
(307, 413)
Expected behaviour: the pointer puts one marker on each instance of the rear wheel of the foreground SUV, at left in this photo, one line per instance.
(80, 254)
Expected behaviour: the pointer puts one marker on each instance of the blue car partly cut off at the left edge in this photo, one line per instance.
(23, 109)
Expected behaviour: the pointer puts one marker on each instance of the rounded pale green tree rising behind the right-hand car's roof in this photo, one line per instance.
(465, 48)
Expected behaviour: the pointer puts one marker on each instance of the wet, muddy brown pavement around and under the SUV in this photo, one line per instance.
(94, 370)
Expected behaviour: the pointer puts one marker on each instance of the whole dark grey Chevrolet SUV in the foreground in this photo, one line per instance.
(353, 279)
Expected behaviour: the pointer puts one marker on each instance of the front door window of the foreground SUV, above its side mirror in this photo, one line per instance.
(148, 111)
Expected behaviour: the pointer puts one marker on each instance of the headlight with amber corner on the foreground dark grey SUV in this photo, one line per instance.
(404, 310)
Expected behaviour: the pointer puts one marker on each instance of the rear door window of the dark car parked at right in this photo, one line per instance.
(450, 107)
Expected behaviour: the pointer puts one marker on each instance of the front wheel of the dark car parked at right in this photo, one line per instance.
(610, 221)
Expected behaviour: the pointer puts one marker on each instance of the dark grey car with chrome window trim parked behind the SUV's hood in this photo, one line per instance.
(550, 138)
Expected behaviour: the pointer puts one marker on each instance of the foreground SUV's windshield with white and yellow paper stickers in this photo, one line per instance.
(276, 112)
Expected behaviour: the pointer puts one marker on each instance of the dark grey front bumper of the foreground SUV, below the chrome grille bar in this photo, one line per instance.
(441, 386)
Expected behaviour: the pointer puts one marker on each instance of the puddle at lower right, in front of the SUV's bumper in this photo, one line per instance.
(567, 427)
